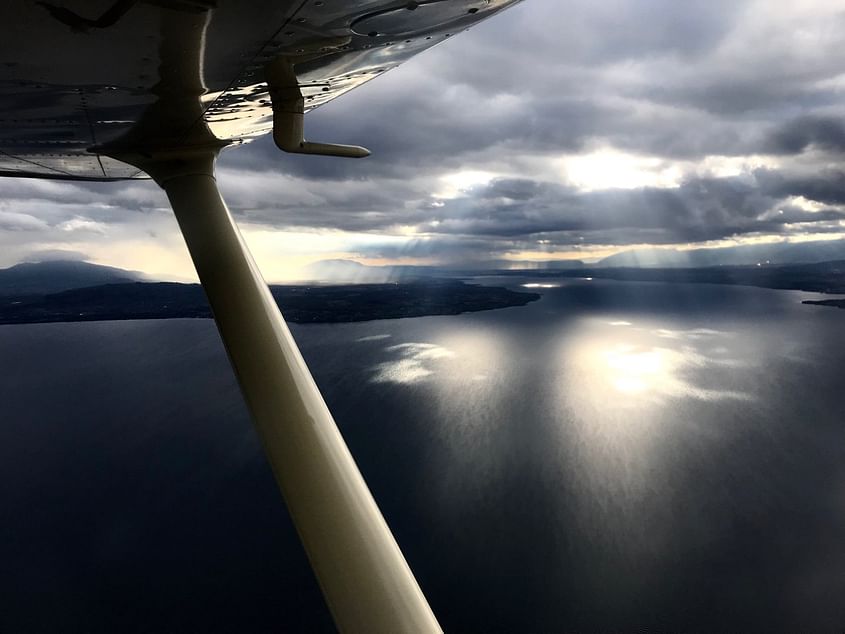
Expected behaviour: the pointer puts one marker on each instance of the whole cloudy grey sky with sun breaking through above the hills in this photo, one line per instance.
(555, 130)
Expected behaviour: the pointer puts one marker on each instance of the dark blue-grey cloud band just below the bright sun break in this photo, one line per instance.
(700, 209)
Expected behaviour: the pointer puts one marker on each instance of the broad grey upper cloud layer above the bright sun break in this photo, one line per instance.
(553, 78)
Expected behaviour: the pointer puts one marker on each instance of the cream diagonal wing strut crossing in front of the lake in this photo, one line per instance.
(367, 583)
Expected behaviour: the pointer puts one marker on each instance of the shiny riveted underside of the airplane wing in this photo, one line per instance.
(78, 74)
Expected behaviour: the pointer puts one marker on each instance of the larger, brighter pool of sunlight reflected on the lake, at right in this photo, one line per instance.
(628, 389)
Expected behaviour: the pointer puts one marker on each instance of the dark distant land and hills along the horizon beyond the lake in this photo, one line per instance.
(27, 292)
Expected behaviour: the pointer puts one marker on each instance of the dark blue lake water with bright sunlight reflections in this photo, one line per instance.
(614, 457)
